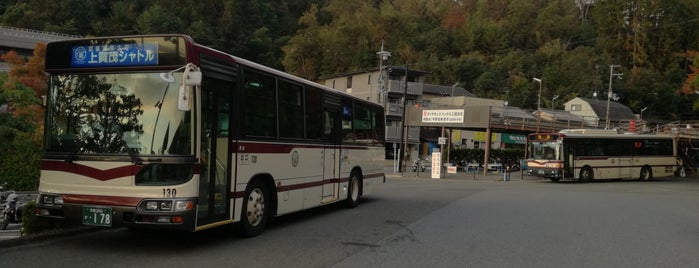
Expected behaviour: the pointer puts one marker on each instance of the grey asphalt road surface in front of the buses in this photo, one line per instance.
(420, 222)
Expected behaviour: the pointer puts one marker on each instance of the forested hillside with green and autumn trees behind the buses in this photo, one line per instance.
(493, 48)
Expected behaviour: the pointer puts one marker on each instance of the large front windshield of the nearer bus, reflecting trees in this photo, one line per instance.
(123, 113)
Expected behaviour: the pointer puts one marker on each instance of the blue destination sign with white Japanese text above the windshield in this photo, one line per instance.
(114, 55)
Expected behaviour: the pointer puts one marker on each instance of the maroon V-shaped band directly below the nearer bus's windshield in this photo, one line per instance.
(98, 174)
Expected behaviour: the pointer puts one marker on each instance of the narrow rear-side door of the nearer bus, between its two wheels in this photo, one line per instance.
(331, 152)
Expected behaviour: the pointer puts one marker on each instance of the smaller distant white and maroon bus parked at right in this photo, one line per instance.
(589, 154)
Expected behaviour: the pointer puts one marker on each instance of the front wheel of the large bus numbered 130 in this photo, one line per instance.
(255, 213)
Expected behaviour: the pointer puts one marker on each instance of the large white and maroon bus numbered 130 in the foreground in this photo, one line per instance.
(159, 131)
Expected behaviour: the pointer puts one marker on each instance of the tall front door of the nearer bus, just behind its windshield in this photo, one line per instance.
(215, 173)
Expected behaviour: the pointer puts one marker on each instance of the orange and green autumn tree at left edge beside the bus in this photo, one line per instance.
(21, 118)
